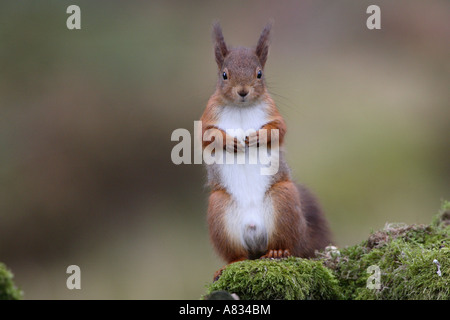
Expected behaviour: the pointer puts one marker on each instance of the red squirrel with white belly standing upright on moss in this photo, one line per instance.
(251, 215)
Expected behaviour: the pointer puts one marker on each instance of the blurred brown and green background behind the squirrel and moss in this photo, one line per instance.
(86, 118)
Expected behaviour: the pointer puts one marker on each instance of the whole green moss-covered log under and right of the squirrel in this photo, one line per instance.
(399, 262)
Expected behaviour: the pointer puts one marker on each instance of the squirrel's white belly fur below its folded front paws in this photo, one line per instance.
(249, 220)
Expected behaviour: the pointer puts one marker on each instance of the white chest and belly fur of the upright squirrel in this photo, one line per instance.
(250, 219)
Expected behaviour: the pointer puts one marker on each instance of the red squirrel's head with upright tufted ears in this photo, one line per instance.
(241, 70)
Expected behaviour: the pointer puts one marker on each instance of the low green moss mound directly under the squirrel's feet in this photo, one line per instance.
(288, 279)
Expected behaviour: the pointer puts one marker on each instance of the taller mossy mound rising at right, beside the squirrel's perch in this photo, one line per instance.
(404, 255)
